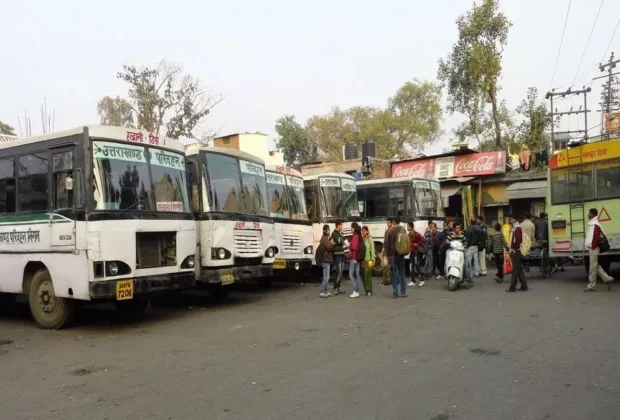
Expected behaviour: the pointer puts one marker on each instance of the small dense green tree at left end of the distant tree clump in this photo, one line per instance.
(294, 142)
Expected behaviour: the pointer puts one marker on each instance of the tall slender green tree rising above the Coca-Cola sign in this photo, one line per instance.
(472, 69)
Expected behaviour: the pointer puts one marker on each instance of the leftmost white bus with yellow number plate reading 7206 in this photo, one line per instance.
(93, 214)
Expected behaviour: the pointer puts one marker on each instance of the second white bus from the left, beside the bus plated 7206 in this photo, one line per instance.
(235, 230)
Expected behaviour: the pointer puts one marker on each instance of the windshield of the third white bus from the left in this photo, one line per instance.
(285, 195)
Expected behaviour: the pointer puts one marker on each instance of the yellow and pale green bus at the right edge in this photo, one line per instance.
(580, 178)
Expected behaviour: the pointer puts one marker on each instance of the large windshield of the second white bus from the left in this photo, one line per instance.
(235, 186)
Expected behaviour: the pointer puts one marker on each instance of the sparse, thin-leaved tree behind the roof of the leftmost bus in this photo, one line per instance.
(163, 100)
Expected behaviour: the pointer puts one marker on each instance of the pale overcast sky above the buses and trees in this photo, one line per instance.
(273, 58)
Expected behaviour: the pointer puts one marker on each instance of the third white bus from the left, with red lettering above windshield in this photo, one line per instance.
(287, 206)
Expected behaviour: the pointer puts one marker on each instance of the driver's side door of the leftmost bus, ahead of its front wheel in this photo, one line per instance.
(66, 194)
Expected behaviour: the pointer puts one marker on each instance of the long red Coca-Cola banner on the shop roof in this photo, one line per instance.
(474, 164)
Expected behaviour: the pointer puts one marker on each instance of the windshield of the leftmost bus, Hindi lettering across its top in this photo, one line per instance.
(129, 177)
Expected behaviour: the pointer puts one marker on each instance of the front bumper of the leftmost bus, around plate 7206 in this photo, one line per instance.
(101, 290)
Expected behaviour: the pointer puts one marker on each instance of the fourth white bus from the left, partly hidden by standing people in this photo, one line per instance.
(331, 197)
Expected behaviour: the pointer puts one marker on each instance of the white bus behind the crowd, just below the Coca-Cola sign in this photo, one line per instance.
(416, 200)
